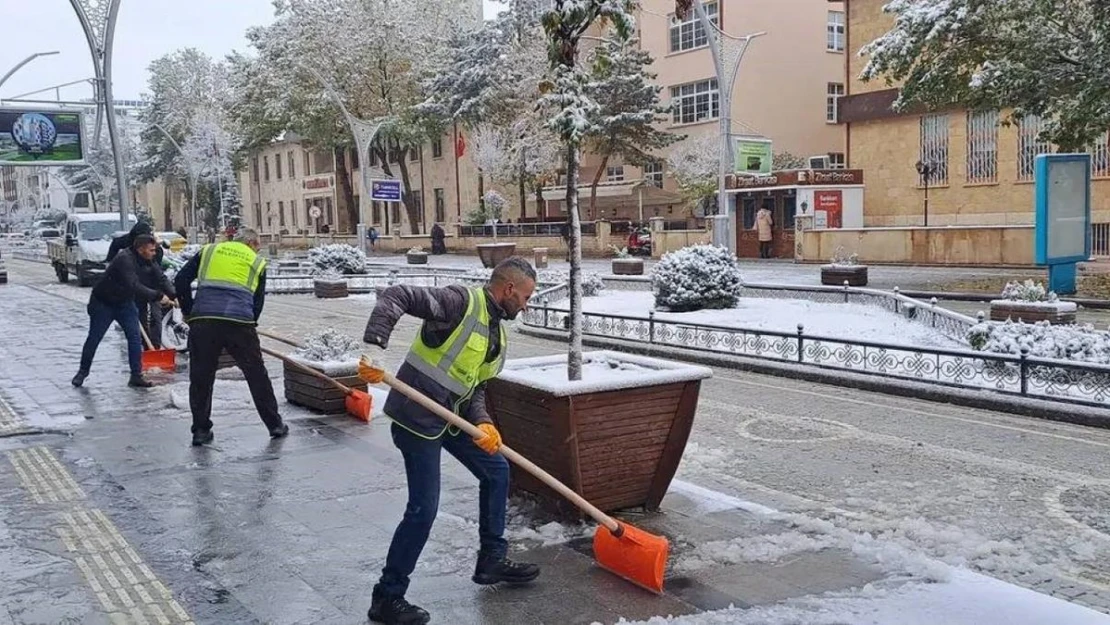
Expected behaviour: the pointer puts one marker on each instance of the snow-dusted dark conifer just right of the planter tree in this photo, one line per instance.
(630, 110)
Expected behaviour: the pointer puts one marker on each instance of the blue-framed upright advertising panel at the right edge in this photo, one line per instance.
(1064, 217)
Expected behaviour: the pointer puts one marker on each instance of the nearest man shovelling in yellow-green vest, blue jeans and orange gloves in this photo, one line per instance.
(460, 347)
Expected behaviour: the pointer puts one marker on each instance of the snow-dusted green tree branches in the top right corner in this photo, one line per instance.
(1042, 58)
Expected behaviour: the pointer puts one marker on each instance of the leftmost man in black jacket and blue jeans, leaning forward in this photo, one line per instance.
(114, 299)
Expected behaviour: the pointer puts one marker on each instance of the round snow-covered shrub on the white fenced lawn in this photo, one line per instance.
(695, 278)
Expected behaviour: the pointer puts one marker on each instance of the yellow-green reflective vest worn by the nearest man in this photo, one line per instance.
(448, 366)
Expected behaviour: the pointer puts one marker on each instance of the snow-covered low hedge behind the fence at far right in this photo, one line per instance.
(1043, 340)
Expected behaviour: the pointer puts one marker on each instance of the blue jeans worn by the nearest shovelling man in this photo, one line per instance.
(422, 470)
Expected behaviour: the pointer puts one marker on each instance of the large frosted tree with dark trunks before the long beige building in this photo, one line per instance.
(374, 54)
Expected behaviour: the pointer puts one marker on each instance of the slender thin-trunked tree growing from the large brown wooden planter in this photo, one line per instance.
(569, 96)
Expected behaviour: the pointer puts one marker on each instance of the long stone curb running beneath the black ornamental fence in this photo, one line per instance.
(970, 398)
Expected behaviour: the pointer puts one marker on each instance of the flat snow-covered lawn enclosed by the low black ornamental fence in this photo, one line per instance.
(856, 322)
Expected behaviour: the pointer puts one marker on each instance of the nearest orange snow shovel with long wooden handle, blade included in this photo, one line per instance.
(632, 553)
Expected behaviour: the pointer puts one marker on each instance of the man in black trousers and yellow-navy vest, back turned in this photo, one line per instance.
(231, 286)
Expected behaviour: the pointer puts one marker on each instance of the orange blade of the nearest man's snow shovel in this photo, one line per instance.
(637, 556)
